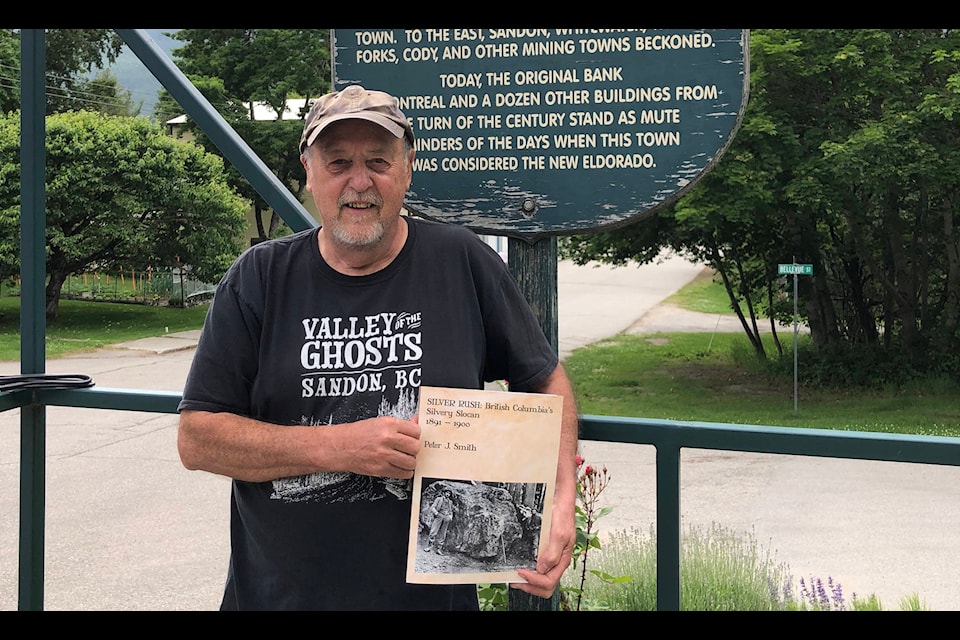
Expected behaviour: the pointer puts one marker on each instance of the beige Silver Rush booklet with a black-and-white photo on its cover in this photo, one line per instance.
(483, 486)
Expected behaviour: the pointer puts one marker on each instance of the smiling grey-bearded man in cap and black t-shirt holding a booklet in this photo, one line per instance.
(305, 382)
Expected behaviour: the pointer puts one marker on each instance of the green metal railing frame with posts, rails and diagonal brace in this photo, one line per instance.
(668, 437)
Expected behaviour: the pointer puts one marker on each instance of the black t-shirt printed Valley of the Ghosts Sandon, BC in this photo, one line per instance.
(288, 340)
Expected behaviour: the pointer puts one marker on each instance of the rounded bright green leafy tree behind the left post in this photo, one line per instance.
(121, 193)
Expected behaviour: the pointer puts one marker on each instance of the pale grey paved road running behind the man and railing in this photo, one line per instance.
(129, 529)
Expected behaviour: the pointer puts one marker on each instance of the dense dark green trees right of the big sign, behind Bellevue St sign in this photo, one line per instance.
(847, 159)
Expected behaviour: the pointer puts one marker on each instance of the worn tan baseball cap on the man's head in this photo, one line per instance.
(355, 102)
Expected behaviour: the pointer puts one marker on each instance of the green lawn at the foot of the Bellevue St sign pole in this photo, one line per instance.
(675, 377)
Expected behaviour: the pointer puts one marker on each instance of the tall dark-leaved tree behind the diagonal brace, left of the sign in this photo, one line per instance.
(235, 68)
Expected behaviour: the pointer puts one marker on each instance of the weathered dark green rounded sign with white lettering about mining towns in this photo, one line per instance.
(538, 132)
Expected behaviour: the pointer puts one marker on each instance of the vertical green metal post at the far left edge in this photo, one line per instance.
(32, 312)
